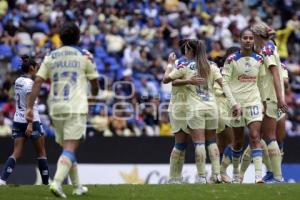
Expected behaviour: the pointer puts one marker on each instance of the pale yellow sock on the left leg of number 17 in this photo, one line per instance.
(63, 166)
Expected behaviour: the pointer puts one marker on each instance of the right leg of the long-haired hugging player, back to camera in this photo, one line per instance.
(214, 154)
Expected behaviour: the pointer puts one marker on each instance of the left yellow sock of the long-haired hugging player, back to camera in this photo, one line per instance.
(200, 157)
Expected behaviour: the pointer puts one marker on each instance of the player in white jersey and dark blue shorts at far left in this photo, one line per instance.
(23, 130)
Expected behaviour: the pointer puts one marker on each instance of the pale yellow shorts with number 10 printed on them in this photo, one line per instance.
(249, 114)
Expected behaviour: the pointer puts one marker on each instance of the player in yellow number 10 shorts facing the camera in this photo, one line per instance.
(243, 72)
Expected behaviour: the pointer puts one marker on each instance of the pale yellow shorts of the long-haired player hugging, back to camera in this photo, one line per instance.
(203, 119)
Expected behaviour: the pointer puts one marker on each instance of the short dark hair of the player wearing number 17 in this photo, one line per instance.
(69, 34)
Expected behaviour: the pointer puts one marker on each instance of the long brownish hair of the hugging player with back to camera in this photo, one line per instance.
(199, 50)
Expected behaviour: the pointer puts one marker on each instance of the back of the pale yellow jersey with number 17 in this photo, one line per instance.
(69, 69)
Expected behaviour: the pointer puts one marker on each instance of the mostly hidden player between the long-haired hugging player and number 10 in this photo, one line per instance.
(224, 131)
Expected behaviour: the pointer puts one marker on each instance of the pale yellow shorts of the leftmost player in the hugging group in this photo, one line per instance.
(178, 121)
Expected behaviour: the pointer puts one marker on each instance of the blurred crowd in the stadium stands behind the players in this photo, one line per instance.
(130, 41)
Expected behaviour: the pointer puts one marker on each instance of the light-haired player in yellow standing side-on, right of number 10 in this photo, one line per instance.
(273, 93)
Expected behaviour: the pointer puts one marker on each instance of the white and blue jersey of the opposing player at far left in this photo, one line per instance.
(23, 86)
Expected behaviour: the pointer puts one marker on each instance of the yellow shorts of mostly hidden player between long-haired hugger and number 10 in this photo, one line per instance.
(223, 109)
